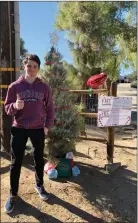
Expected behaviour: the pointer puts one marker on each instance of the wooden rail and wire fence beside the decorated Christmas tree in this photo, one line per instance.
(91, 113)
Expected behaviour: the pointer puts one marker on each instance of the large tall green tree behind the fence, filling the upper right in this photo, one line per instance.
(93, 30)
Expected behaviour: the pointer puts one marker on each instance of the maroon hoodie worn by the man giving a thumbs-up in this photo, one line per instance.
(38, 111)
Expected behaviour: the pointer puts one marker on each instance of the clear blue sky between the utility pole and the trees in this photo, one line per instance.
(36, 23)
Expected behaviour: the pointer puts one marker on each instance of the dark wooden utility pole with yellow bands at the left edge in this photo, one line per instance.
(7, 65)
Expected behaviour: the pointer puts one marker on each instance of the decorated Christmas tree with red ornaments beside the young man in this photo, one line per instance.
(64, 134)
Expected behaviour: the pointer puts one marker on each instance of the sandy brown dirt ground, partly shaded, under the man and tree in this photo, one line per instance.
(93, 196)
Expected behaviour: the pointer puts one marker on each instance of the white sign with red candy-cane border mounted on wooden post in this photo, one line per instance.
(114, 111)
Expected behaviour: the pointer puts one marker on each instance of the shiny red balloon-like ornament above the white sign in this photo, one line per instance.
(96, 80)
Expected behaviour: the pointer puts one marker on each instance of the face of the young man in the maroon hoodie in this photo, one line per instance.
(31, 68)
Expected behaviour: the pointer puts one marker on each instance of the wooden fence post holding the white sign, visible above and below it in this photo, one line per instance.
(110, 130)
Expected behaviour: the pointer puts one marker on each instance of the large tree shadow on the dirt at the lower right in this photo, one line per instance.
(115, 193)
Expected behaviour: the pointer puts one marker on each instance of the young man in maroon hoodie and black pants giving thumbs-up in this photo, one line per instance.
(30, 102)
